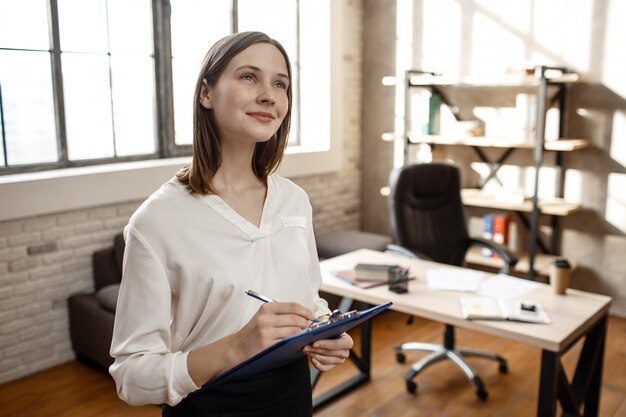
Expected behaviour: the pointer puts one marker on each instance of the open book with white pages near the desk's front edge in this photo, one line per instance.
(490, 308)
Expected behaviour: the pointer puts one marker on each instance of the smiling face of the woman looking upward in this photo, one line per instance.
(249, 100)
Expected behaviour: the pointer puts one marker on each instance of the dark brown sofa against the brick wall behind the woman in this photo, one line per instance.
(91, 315)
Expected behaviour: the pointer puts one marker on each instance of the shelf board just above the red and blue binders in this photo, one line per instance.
(554, 206)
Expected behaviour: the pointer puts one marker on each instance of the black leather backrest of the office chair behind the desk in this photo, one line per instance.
(426, 211)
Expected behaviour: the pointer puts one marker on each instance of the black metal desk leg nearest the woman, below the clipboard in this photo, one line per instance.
(363, 363)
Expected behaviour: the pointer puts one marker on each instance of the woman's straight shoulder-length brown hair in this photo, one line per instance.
(207, 151)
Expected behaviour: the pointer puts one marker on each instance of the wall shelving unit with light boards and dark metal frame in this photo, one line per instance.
(545, 78)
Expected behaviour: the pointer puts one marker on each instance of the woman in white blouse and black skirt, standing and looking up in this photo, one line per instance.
(226, 223)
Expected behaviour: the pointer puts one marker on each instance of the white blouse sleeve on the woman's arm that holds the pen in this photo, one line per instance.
(145, 370)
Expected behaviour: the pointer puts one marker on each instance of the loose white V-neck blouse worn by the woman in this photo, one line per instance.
(187, 263)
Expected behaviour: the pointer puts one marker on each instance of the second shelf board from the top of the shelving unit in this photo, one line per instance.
(491, 142)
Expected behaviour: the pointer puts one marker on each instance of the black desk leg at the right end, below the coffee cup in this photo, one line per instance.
(585, 387)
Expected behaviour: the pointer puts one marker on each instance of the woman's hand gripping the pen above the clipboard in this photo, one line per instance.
(271, 323)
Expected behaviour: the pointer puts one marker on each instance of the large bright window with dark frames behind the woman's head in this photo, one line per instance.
(97, 81)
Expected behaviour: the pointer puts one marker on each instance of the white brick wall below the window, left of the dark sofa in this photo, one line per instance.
(42, 261)
